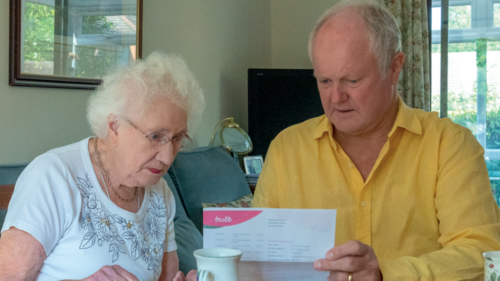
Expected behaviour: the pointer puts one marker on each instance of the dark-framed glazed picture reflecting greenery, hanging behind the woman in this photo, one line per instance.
(71, 43)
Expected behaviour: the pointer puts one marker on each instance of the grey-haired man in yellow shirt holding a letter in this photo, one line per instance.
(411, 190)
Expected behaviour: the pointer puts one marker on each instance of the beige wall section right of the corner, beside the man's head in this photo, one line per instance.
(291, 23)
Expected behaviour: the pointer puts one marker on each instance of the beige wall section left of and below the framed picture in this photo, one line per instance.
(34, 120)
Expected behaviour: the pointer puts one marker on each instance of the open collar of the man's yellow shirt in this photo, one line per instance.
(406, 119)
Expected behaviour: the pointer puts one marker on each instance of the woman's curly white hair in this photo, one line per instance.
(129, 91)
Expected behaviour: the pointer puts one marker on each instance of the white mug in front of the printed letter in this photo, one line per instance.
(217, 264)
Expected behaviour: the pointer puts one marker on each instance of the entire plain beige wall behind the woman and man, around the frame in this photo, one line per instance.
(220, 40)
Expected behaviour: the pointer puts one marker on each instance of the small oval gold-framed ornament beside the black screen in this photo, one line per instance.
(231, 137)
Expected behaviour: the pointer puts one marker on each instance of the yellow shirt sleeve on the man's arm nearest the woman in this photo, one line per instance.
(268, 185)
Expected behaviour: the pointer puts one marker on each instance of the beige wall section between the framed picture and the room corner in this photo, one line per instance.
(220, 40)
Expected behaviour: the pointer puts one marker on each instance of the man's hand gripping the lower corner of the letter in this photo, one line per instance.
(352, 257)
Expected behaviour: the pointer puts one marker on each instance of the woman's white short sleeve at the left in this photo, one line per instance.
(41, 202)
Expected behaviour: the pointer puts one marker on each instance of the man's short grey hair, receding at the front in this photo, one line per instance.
(383, 30)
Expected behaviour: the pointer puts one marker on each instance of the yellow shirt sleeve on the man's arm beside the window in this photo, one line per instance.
(468, 218)
